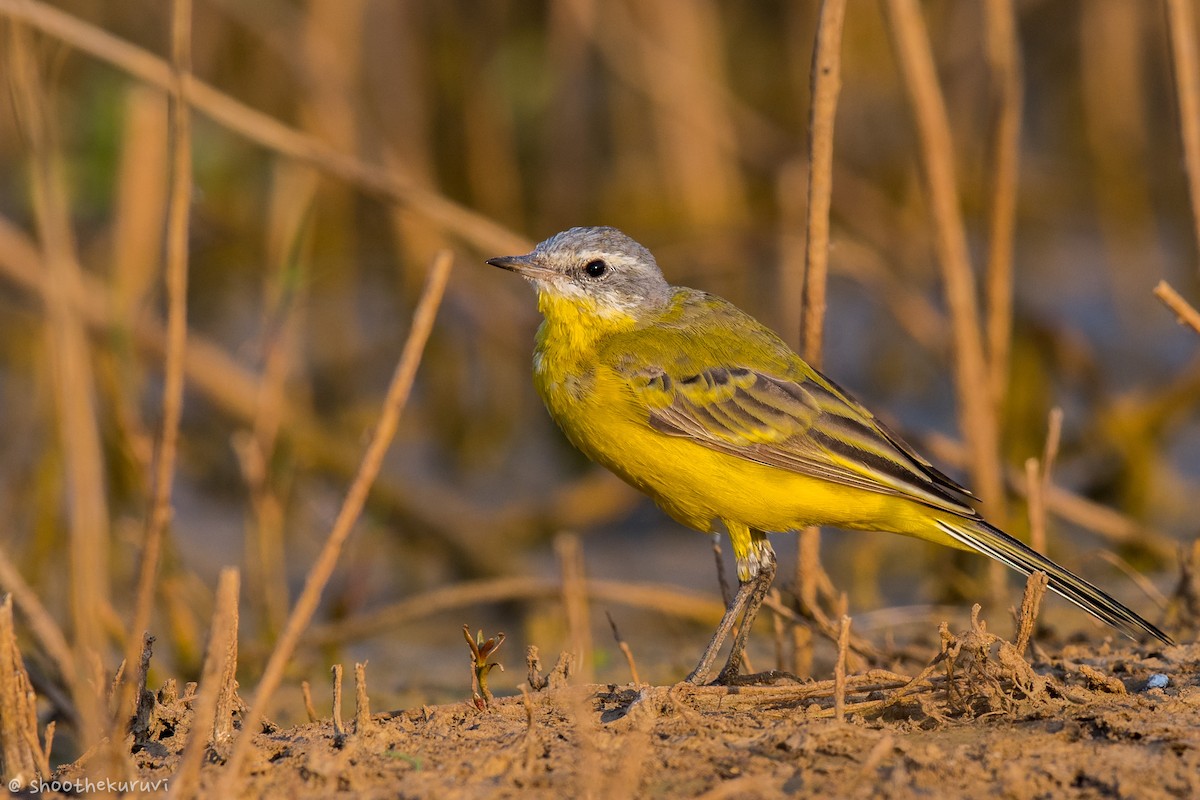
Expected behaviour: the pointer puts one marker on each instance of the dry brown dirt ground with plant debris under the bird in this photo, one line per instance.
(979, 723)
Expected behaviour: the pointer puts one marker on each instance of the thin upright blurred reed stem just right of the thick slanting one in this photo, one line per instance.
(1005, 59)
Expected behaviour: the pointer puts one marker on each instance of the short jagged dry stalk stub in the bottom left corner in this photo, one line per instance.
(22, 754)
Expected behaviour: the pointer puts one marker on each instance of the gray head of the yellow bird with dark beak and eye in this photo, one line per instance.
(601, 266)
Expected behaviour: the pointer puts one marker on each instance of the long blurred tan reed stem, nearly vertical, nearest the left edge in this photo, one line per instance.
(73, 378)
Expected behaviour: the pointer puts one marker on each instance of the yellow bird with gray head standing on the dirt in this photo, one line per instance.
(710, 413)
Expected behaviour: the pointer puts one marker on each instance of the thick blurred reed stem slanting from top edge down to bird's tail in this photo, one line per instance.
(977, 412)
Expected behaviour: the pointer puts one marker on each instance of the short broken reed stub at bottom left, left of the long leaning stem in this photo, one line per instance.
(218, 659)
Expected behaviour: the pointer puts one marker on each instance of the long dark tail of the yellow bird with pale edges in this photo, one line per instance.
(982, 538)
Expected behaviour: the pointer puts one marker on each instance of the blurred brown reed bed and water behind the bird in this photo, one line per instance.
(483, 129)
